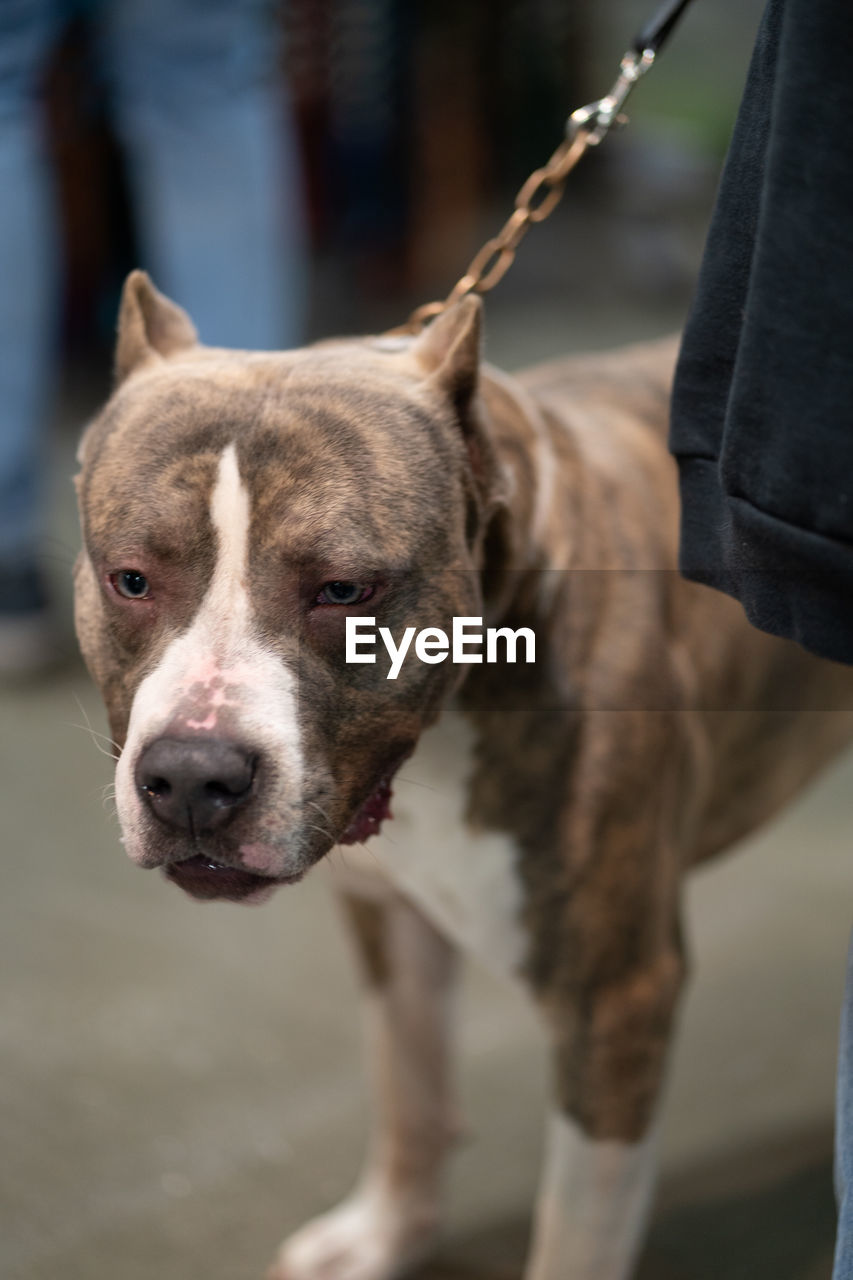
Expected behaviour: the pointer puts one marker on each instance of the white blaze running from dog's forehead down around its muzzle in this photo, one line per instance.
(217, 664)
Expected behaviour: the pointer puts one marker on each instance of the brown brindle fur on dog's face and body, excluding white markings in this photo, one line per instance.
(656, 728)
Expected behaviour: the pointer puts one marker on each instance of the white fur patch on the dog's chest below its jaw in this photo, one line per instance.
(466, 881)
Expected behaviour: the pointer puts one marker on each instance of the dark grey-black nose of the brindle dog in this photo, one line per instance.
(195, 785)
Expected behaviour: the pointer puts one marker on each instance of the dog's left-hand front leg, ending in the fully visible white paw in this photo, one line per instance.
(391, 1219)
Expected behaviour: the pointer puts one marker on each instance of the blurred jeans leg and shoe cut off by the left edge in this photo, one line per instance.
(29, 286)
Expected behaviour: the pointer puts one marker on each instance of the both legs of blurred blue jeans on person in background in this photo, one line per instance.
(215, 184)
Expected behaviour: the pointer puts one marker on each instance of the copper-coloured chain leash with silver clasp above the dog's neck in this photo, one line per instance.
(587, 127)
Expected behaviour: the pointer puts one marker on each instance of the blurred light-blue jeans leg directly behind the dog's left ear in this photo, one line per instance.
(212, 162)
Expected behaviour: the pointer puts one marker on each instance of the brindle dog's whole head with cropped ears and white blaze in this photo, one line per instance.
(238, 508)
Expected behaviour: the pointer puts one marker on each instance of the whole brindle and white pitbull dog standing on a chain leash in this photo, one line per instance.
(238, 509)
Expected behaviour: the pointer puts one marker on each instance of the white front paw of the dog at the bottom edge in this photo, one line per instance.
(368, 1237)
